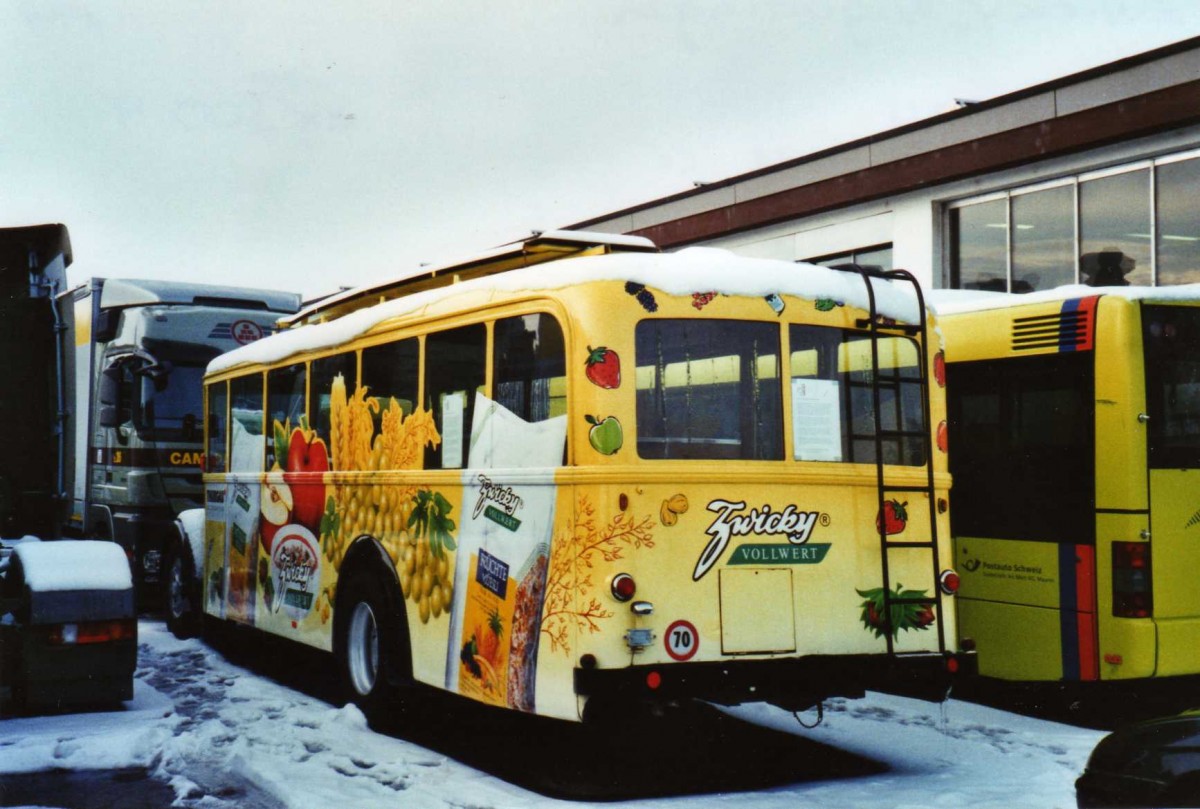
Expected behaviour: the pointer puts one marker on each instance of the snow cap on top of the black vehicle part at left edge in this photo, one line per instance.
(75, 565)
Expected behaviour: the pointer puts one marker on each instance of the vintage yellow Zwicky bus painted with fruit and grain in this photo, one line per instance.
(575, 475)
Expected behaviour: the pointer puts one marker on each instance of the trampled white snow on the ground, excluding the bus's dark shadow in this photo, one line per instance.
(227, 726)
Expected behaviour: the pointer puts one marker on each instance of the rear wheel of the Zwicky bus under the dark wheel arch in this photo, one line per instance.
(368, 633)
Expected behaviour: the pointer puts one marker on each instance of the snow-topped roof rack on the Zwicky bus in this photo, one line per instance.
(539, 248)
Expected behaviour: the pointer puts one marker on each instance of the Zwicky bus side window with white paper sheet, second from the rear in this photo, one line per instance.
(455, 369)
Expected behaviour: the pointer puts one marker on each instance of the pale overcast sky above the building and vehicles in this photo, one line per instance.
(307, 146)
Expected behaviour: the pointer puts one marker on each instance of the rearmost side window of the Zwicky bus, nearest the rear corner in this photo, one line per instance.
(530, 367)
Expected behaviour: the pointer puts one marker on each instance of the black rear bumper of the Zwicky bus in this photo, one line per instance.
(791, 684)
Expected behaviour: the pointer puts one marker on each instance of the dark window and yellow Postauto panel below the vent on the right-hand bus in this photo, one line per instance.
(1024, 513)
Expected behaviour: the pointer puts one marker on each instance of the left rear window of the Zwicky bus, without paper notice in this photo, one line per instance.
(709, 389)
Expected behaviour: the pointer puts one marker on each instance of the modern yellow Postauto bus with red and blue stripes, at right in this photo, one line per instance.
(1075, 434)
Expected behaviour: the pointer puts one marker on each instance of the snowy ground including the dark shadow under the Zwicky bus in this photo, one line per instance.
(223, 736)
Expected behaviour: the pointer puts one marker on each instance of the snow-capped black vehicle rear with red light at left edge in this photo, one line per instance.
(68, 625)
